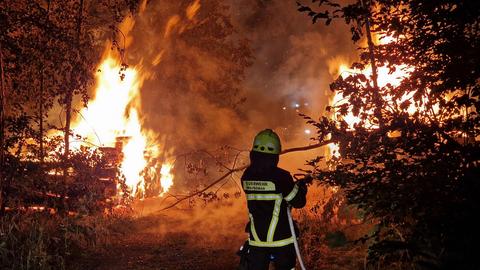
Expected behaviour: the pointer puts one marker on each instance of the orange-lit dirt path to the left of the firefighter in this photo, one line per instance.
(198, 238)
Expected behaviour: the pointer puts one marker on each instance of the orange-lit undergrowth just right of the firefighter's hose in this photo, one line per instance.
(327, 227)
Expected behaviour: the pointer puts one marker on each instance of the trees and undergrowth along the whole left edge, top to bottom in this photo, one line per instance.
(52, 207)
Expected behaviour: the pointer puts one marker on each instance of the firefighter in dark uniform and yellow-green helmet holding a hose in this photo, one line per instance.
(269, 191)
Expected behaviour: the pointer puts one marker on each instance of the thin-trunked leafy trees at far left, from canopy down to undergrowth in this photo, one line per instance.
(49, 50)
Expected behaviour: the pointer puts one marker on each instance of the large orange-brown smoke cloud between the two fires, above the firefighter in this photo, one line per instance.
(184, 63)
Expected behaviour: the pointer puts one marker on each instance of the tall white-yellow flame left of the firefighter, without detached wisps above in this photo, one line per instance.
(112, 119)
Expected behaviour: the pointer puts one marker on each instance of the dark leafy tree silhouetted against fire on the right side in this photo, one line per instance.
(410, 162)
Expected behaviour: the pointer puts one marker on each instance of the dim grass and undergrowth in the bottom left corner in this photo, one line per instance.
(42, 240)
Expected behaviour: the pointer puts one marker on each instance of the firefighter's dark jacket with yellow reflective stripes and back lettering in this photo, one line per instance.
(268, 191)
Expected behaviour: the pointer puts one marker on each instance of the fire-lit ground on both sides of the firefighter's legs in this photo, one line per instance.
(206, 236)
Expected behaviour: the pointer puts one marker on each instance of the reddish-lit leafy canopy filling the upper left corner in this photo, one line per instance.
(42, 56)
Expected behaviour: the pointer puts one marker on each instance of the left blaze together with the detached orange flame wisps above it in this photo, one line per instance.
(112, 118)
